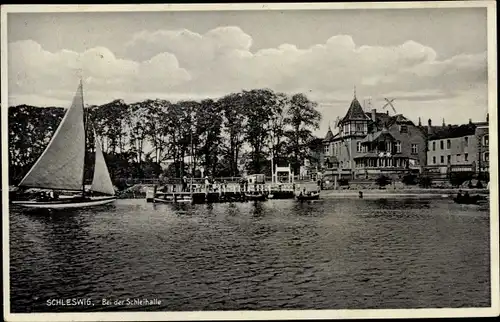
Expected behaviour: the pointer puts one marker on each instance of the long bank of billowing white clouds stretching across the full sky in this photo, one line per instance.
(182, 63)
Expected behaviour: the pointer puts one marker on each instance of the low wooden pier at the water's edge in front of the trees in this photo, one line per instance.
(196, 194)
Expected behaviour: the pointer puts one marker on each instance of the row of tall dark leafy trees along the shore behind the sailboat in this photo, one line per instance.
(239, 132)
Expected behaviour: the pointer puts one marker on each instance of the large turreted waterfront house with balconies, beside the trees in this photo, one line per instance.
(368, 144)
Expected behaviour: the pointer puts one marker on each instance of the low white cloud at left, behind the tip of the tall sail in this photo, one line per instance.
(35, 71)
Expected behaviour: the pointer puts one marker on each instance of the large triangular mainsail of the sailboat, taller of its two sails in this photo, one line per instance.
(61, 164)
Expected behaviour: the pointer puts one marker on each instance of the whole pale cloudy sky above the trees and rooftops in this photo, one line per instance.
(433, 61)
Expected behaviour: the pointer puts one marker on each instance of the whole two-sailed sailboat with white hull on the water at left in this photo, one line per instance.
(61, 166)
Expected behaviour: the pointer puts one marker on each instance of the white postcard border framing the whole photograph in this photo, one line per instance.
(278, 314)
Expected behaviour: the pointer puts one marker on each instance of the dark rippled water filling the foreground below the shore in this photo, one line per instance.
(329, 254)
